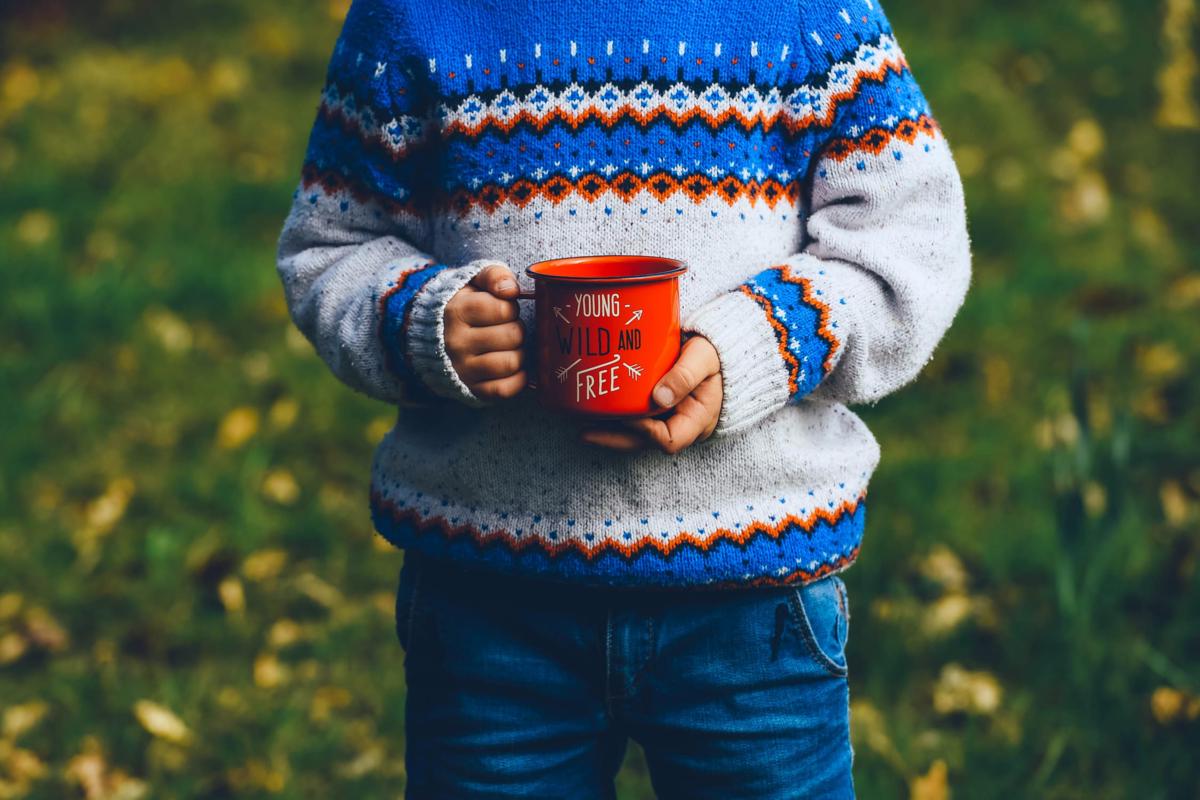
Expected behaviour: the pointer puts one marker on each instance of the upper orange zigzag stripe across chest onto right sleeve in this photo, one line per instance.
(767, 122)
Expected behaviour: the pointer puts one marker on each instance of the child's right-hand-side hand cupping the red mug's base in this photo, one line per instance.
(693, 389)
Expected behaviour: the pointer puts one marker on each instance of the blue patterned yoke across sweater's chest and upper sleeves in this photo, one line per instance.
(604, 116)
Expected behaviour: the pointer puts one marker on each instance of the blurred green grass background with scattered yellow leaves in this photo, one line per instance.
(194, 605)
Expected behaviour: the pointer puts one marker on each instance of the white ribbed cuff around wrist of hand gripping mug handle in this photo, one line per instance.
(427, 333)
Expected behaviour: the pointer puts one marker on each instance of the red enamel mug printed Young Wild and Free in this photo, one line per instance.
(607, 330)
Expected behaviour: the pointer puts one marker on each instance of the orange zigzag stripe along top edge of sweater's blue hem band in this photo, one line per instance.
(591, 554)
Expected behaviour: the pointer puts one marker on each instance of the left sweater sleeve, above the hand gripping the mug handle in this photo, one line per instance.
(358, 280)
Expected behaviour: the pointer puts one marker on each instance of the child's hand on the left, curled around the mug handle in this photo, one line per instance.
(483, 335)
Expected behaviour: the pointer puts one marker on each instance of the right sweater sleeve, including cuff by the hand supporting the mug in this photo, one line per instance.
(885, 261)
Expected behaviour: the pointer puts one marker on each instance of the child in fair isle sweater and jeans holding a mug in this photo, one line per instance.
(670, 579)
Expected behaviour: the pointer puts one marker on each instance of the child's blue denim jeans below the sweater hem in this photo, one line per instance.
(519, 688)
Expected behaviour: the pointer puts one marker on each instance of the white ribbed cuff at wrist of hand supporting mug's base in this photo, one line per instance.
(754, 376)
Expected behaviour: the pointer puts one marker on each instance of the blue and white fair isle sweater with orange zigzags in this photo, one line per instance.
(784, 151)
